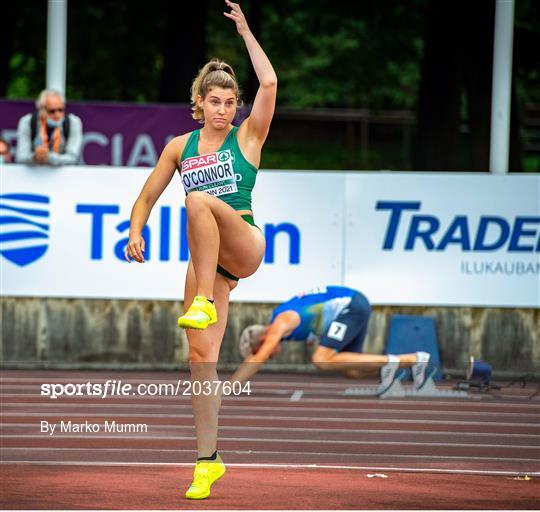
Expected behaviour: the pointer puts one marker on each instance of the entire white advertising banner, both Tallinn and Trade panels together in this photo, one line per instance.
(400, 238)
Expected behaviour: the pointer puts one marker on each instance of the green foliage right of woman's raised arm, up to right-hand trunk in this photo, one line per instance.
(341, 54)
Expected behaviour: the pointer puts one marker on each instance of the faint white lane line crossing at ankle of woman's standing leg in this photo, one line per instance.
(272, 452)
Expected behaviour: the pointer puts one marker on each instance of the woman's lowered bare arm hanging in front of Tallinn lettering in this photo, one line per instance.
(152, 189)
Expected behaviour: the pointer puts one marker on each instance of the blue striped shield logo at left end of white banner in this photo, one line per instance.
(23, 227)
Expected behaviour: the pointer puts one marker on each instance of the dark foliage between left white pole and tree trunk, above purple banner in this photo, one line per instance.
(113, 51)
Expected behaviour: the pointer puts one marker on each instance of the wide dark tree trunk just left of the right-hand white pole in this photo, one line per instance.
(437, 139)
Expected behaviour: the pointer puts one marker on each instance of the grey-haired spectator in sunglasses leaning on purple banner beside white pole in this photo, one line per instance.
(49, 136)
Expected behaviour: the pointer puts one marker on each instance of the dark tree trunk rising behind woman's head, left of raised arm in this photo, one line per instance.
(183, 48)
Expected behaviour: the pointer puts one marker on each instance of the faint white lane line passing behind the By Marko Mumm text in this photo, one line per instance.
(322, 430)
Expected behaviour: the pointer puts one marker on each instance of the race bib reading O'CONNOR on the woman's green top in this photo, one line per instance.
(212, 173)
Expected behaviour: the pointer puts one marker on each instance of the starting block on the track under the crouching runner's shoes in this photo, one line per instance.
(398, 390)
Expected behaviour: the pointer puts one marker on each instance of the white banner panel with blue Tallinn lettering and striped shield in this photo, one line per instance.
(64, 230)
